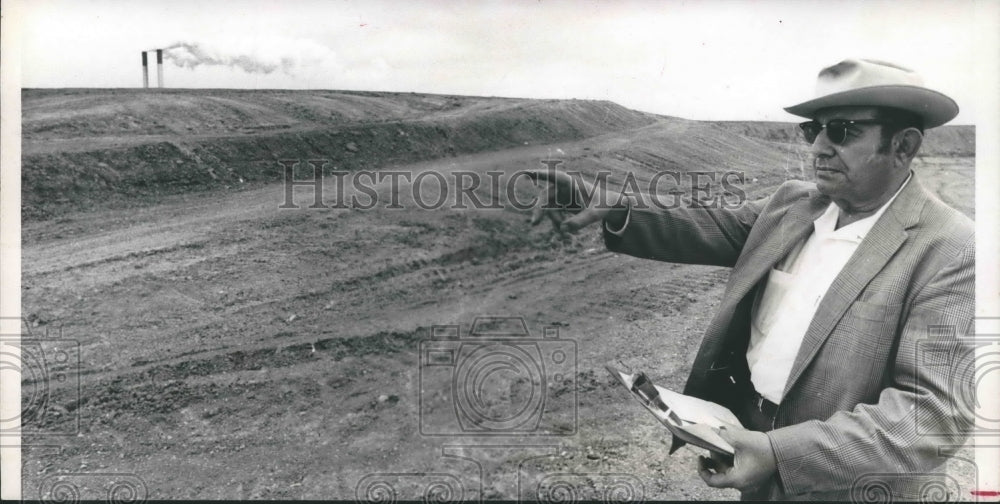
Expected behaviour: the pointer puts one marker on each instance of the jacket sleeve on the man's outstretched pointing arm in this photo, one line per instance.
(687, 234)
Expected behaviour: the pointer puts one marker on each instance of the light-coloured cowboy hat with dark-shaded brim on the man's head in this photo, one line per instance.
(861, 82)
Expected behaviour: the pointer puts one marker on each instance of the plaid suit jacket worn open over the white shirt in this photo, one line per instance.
(877, 384)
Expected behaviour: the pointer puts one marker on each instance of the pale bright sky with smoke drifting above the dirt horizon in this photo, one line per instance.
(723, 60)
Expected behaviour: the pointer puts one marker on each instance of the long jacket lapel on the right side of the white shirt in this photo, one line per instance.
(872, 254)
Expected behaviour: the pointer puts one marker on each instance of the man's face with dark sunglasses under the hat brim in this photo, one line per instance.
(855, 171)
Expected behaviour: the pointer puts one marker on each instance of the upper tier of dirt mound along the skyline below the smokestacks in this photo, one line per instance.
(74, 113)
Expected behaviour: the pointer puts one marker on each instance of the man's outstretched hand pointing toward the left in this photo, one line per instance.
(563, 201)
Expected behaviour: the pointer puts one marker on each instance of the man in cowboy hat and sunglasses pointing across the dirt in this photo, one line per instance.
(839, 288)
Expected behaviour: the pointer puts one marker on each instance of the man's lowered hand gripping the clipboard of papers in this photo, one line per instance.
(753, 463)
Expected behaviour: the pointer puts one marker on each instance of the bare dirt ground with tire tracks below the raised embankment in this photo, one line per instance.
(228, 348)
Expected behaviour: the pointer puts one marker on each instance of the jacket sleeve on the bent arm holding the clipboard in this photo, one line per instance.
(921, 409)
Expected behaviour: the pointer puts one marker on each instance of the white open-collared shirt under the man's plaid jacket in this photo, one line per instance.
(784, 309)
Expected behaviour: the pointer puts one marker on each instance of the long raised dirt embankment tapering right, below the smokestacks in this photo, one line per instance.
(91, 149)
